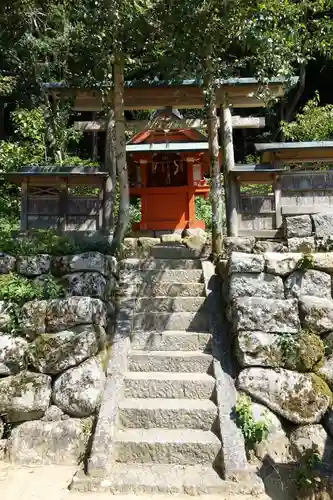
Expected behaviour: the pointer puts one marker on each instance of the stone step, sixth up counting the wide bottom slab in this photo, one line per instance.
(171, 341)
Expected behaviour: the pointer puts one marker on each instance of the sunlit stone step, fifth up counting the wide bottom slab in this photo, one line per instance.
(170, 361)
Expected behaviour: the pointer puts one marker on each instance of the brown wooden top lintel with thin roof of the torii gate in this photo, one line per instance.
(181, 94)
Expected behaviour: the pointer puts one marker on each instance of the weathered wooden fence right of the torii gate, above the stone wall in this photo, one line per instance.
(261, 207)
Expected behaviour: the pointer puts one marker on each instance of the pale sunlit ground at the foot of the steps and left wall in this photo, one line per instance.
(50, 483)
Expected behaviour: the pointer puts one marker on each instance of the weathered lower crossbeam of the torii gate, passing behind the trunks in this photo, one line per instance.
(137, 126)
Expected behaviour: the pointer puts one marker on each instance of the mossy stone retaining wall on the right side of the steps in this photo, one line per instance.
(280, 309)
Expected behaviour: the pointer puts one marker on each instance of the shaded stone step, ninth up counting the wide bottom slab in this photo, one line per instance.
(162, 289)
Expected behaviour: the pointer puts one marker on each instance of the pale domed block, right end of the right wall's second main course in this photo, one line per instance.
(309, 282)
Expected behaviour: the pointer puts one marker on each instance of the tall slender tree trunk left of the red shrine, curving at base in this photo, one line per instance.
(124, 206)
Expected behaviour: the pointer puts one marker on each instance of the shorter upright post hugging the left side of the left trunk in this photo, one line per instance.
(111, 168)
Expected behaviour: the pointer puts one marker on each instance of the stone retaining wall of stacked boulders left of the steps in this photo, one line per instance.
(52, 372)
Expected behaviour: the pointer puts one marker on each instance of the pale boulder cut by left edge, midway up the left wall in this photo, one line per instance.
(12, 354)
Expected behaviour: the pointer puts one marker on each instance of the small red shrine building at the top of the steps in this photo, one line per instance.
(167, 169)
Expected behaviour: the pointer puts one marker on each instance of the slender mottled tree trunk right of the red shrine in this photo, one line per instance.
(216, 193)
